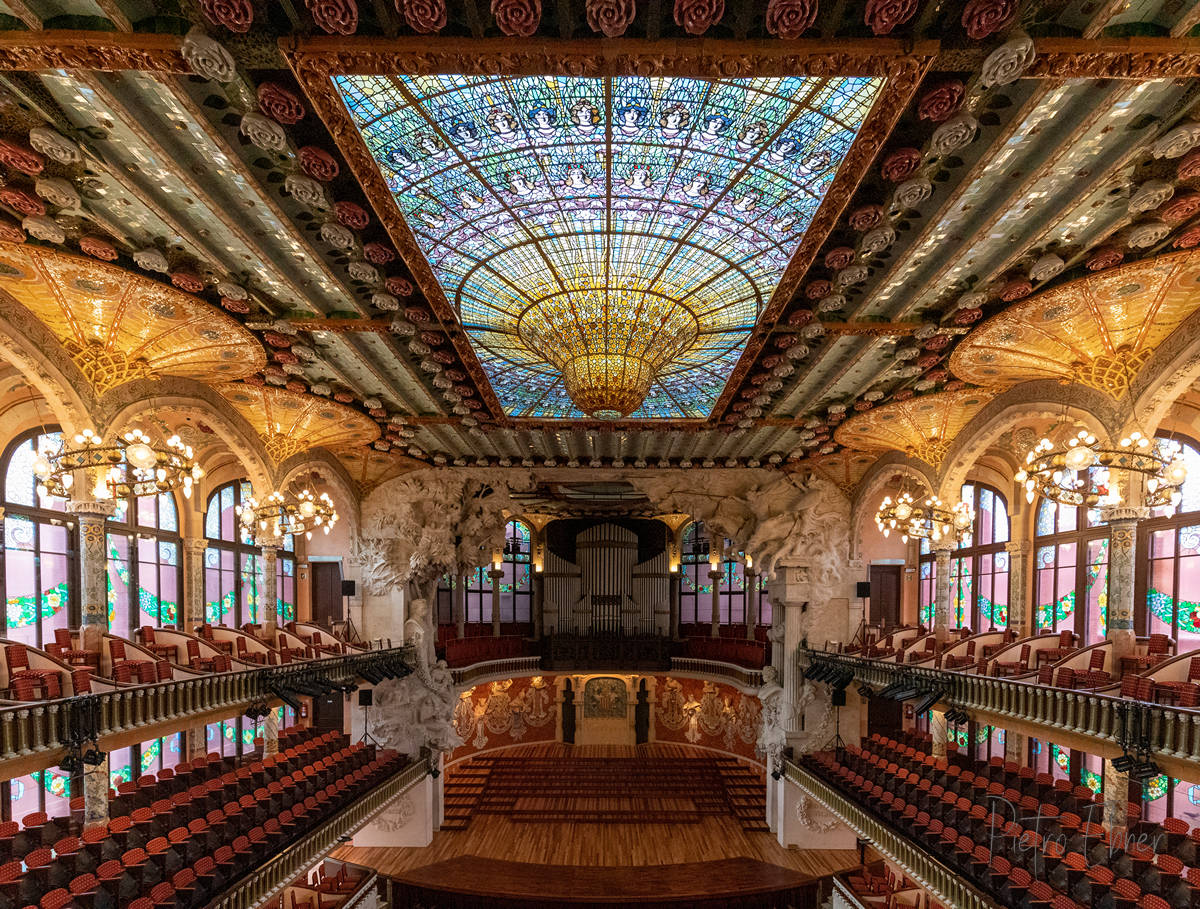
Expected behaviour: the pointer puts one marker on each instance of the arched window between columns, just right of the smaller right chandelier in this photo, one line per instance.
(980, 567)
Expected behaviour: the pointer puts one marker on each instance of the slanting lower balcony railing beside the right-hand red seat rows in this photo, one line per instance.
(943, 882)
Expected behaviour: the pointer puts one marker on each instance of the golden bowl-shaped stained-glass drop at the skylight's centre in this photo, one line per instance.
(610, 345)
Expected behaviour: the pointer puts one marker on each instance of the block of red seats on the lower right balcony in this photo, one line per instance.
(1040, 854)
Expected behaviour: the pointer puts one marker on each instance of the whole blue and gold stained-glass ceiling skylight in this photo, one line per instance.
(608, 244)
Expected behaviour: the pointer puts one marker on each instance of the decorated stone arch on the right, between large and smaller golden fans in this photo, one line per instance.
(1043, 399)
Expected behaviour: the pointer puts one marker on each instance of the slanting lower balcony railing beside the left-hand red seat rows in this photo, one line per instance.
(256, 888)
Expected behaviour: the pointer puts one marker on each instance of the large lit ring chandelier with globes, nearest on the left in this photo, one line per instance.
(133, 466)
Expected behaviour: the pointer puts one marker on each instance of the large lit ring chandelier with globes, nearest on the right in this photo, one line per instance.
(1083, 472)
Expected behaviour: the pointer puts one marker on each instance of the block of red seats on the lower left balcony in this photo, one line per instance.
(149, 859)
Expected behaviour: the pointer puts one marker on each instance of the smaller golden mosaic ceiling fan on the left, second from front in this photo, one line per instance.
(289, 423)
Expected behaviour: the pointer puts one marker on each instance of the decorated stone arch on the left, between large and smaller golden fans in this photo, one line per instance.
(182, 398)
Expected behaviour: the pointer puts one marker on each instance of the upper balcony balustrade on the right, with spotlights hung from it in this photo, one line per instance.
(1173, 733)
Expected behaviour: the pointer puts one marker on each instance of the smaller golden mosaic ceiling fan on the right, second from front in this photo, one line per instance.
(923, 428)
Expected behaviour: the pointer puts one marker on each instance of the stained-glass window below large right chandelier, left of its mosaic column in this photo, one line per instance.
(1071, 559)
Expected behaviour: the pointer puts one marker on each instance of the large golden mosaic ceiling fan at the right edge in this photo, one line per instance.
(1099, 332)
